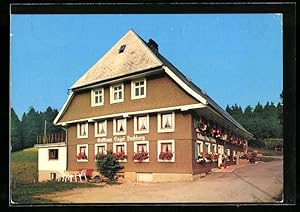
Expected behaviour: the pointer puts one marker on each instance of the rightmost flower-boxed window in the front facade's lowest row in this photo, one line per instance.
(166, 150)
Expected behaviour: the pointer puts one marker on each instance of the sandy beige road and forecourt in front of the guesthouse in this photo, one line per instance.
(261, 182)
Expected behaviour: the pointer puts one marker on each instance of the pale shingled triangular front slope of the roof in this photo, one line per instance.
(134, 58)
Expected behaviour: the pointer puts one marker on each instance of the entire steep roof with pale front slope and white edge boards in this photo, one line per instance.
(138, 56)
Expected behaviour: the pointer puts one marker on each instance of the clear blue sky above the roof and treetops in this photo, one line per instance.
(234, 58)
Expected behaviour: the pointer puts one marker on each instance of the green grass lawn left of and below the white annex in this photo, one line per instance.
(23, 175)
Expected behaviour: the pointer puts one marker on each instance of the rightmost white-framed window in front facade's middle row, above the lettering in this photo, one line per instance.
(166, 122)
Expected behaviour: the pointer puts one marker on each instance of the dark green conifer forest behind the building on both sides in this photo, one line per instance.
(263, 121)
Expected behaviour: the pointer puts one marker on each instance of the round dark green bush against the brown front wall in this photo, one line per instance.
(108, 165)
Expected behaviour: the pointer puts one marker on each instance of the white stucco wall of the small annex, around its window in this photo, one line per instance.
(55, 165)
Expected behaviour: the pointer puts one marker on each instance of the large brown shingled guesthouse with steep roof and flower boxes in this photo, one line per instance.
(135, 102)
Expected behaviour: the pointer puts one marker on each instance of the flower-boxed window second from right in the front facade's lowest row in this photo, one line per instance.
(141, 151)
